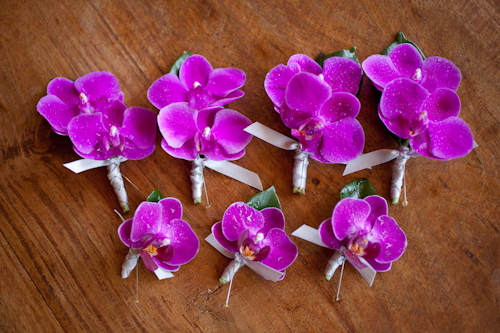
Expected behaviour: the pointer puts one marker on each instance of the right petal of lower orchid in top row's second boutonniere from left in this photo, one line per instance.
(229, 131)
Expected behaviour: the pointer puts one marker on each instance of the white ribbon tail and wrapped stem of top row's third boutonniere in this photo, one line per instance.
(282, 141)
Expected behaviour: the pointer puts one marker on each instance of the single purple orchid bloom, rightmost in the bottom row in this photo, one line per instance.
(361, 228)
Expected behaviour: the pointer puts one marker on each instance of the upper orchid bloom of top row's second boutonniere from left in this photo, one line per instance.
(199, 85)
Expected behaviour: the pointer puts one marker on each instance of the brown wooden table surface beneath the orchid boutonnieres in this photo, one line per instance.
(60, 256)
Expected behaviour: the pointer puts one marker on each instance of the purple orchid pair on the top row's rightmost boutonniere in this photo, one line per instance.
(419, 101)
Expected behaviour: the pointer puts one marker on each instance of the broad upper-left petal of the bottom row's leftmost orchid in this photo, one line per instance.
(147, 221)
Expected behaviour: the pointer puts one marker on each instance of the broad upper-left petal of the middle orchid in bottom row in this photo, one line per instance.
(239, 217)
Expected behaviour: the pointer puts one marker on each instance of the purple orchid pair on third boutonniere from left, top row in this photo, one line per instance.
(319, 105)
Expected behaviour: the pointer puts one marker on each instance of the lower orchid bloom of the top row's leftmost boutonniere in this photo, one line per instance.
(112, 129)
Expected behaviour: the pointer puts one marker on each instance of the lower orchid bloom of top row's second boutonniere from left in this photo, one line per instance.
(215, 133)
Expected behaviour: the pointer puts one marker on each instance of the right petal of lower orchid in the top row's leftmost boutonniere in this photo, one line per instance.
(139, 126)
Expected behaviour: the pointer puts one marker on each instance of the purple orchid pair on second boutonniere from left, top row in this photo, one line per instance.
(192, 119)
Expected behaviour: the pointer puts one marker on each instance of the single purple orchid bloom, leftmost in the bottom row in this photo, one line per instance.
(160, 236)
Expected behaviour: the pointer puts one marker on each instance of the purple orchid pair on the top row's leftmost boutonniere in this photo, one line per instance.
(91, 112)
